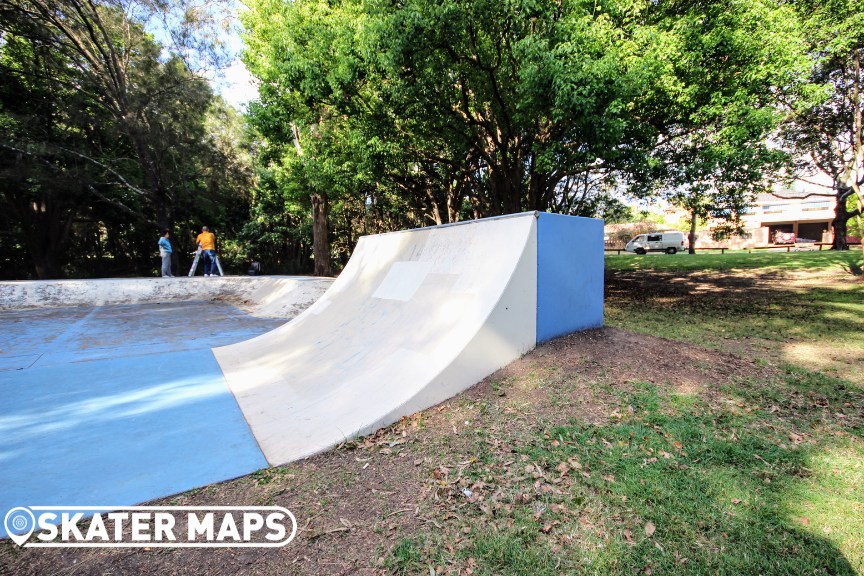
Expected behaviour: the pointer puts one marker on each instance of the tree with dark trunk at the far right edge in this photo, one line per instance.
(825, 123)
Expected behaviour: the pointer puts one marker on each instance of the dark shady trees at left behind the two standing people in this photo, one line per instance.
(107, 141)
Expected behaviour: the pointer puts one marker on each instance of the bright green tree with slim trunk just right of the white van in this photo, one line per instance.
(717, 109)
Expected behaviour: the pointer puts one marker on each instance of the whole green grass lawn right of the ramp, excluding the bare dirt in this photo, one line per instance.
(760, 472)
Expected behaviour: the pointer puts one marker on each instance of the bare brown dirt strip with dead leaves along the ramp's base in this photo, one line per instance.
(355, 503)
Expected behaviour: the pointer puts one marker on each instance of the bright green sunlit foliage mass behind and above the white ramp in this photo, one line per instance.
(427, 112)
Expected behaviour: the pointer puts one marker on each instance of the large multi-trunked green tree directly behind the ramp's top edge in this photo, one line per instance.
(520, 100)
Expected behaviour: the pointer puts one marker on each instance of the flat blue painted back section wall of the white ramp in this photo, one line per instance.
(569, 275)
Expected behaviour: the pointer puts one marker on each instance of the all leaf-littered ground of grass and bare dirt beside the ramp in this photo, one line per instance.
(715, 426)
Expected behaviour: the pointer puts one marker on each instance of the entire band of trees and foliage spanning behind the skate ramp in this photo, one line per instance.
(377, 115)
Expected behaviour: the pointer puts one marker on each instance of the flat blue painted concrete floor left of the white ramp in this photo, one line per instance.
(119, 405)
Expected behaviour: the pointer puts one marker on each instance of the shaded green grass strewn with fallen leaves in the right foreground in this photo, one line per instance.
(672, 485)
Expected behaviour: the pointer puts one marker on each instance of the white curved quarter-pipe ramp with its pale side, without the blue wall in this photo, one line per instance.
(415, 318)
